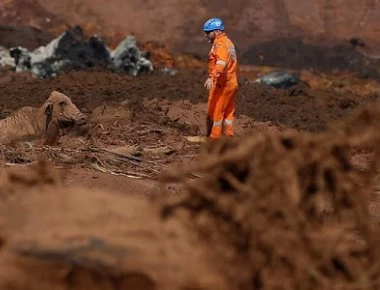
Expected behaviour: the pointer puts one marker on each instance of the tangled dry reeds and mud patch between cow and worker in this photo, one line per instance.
(116, 140)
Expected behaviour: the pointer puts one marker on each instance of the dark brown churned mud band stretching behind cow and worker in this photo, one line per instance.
(302, 108)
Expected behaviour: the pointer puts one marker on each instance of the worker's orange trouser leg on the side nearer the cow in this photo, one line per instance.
(215, 113)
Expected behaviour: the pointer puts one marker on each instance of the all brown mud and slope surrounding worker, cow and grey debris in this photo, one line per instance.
(133, 200)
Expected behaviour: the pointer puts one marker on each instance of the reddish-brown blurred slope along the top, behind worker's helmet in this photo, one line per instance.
(248, 22)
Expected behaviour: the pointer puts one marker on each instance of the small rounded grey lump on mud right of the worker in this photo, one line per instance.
(279, 80)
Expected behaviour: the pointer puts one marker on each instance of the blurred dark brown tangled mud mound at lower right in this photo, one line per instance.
(288, 211)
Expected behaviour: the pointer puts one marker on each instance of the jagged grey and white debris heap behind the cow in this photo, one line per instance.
(72, 51)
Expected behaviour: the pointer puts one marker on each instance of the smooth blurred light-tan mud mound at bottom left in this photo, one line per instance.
(71, 238)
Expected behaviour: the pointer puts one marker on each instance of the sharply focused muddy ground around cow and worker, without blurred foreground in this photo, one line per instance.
(152, 115)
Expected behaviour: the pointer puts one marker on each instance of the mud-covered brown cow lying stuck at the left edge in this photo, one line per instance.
(47, 123)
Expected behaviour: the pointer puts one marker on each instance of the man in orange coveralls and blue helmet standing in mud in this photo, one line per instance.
(222, 80)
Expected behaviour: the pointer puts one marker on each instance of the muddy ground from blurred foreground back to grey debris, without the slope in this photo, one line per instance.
(100, 218)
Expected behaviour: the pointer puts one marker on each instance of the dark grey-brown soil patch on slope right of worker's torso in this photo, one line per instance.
(326, 56)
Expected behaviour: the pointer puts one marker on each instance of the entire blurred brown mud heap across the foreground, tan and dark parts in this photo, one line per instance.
(283, 211)
